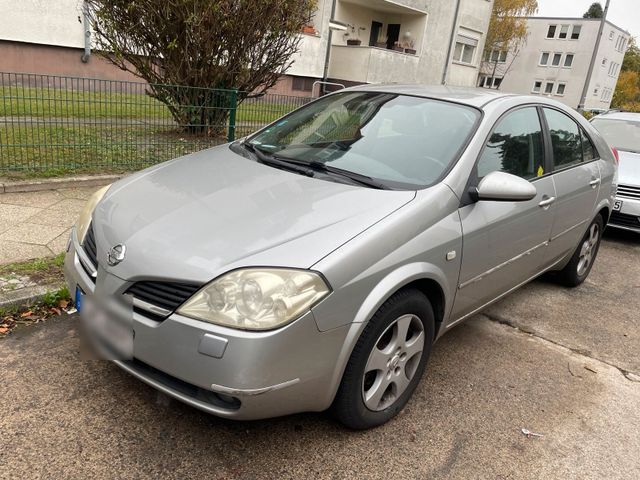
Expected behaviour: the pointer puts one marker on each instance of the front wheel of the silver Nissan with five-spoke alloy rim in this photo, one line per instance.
(369, 396)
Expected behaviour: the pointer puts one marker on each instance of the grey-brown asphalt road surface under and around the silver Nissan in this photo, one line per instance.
(565, 363)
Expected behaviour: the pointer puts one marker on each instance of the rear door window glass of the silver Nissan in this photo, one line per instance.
(565, 139)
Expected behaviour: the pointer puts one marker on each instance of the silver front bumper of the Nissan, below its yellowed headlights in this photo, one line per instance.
(227, 372)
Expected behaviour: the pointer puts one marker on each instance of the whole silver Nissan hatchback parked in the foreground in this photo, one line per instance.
(314, 263)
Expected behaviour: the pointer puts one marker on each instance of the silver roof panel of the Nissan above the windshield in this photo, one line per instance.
(475, 97)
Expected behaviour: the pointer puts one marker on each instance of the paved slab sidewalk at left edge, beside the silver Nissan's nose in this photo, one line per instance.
(37, 224)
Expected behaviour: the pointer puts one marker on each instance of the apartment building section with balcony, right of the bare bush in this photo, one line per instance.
(402, 41)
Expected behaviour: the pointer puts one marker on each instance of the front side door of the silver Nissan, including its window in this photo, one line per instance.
(505, 243)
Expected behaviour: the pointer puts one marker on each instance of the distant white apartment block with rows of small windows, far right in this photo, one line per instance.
(554, 61)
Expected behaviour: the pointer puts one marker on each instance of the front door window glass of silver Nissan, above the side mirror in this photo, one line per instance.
(515, 146)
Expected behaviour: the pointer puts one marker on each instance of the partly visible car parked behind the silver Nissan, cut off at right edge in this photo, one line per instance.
(622, 131)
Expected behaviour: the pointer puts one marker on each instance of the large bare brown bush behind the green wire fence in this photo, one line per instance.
(243, 45)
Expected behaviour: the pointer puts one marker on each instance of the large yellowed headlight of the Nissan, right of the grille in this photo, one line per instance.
(256, 298)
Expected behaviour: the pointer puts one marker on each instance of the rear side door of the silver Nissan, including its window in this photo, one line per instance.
(577, 181)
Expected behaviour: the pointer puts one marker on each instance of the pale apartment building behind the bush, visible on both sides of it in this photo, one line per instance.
(407, 41)
